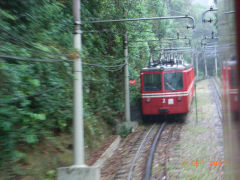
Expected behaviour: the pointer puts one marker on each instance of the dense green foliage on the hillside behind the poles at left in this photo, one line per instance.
(36, 97)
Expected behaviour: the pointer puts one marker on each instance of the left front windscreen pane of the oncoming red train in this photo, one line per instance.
(152, 82)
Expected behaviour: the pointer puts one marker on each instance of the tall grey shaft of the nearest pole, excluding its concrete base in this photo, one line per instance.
(78, 146)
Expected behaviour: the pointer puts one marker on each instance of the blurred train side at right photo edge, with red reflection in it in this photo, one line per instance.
(229, 51)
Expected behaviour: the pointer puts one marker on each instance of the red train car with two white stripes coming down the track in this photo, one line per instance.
(167, 88)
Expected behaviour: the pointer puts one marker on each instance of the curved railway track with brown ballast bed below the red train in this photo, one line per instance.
(135, 159)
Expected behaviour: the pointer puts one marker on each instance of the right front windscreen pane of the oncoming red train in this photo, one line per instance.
(173, 81)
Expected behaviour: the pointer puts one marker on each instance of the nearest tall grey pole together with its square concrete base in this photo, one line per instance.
(78, 171)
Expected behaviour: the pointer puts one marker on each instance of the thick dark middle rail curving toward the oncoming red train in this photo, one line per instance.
(150, 157)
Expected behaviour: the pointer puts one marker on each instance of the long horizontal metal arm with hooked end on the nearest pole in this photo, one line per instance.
(140, 19)
